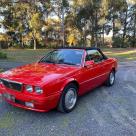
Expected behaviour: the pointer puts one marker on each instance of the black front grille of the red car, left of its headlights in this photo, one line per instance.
(12, 85)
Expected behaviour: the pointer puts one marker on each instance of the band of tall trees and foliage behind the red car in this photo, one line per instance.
(44, 23)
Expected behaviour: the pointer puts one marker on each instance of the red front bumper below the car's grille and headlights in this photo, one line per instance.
(41, 104)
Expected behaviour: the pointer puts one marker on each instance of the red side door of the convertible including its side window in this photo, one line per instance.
(94, 75)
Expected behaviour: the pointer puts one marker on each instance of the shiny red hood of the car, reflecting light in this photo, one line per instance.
(38, 73)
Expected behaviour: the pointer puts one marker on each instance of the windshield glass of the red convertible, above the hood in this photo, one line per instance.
(64, 56)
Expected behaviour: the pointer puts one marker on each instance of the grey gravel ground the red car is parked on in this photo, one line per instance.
(102, 112)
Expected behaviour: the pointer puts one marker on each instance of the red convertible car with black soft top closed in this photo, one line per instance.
(57, 79)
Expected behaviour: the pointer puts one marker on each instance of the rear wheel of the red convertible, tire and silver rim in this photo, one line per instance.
(109, 81)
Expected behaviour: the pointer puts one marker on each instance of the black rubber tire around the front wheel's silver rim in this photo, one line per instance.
(62, 104)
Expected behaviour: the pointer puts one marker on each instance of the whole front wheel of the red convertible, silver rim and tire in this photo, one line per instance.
(68, 98)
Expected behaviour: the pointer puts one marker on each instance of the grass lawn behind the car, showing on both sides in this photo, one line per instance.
(26, 55)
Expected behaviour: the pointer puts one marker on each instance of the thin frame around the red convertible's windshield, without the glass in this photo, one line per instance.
(81, 63)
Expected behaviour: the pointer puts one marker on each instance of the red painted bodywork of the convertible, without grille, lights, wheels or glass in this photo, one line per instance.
(53, 78)
